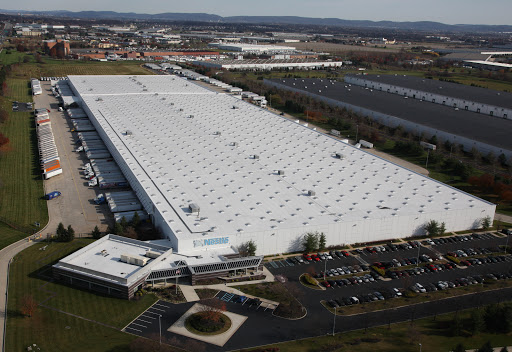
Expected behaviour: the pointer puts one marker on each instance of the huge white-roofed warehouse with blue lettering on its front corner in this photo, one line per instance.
(215, 172)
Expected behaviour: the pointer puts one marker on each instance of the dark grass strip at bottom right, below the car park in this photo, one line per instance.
(433, 334)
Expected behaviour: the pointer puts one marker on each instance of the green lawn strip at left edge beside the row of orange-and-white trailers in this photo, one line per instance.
(21, 184)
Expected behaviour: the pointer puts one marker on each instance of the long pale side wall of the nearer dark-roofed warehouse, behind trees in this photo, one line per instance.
(393, 121)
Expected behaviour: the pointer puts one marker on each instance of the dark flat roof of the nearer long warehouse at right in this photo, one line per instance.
(479, 127)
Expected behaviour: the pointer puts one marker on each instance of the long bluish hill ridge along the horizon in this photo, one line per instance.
(204, 17)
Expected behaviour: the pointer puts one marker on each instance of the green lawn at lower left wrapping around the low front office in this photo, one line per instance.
(31, 273)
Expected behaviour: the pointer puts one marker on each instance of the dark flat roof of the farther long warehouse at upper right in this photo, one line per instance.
(450, 89)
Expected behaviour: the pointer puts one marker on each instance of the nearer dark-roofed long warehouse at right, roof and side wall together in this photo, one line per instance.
(454, 124)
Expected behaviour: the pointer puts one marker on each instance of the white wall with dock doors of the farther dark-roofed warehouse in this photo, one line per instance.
(431, 97)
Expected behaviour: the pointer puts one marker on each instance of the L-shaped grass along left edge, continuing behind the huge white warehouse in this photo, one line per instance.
(21, 185)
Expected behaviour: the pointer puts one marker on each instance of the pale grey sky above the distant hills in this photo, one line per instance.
(445, 11)
